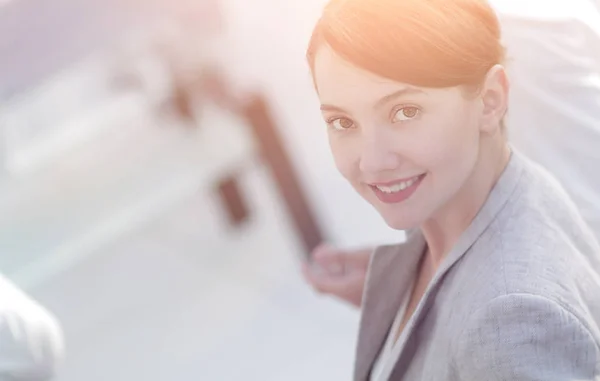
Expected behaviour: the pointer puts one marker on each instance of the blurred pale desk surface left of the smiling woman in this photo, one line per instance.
(122, 240)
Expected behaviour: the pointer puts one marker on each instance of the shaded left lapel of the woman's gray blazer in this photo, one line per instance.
(391, 271)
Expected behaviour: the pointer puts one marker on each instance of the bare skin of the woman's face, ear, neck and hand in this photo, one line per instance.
(382, 131)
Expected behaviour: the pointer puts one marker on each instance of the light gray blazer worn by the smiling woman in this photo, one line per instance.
(517, 298)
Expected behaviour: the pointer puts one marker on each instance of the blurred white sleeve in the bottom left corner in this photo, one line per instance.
(31, 340)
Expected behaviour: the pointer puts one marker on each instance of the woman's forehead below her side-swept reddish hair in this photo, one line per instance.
(337, 80)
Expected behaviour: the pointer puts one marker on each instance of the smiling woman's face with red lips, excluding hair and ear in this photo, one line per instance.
(407, 150)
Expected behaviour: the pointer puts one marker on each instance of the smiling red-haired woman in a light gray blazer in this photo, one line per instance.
(499, 277)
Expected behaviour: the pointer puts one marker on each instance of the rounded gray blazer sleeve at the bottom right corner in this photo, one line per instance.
(526, 337)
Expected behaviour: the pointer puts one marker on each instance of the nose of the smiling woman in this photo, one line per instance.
(378, 154)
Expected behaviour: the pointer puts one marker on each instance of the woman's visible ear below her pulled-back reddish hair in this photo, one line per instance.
(494, 96)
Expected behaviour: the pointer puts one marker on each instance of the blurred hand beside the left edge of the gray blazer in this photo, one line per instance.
(340, 273)
